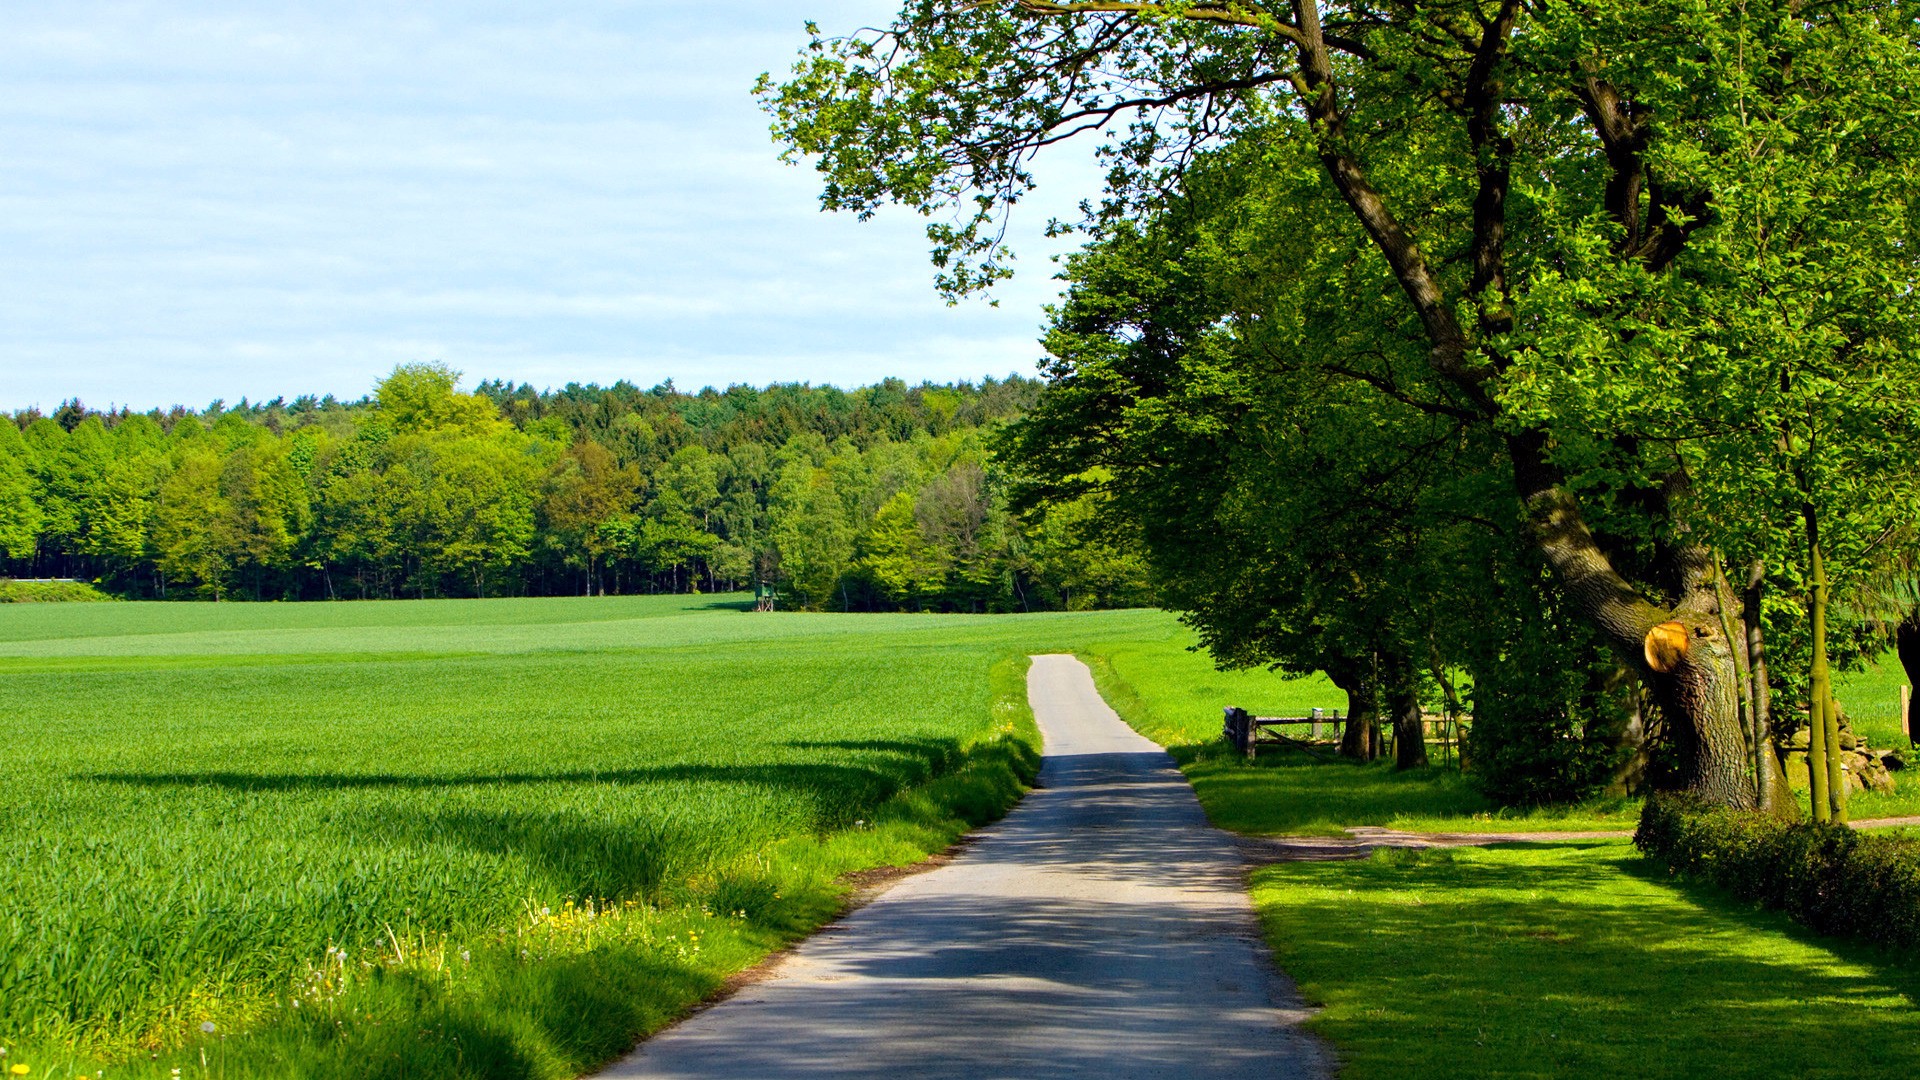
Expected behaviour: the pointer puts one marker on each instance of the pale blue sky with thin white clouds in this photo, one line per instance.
(251, 201)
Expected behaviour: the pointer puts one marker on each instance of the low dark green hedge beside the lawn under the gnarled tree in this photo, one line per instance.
(1827, 877)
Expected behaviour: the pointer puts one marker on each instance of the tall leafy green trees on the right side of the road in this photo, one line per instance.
(1564, 358)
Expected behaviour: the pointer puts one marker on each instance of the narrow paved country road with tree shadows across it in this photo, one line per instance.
(1099, 929)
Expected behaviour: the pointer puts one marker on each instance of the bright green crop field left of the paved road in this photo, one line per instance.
(466, 837)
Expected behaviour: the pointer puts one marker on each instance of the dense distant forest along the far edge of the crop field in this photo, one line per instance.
(873, 499)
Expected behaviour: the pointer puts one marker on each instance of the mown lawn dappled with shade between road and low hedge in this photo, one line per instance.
(1575, 960)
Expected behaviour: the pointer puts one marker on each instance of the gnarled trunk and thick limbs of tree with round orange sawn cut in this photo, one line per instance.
(1681, 654)
